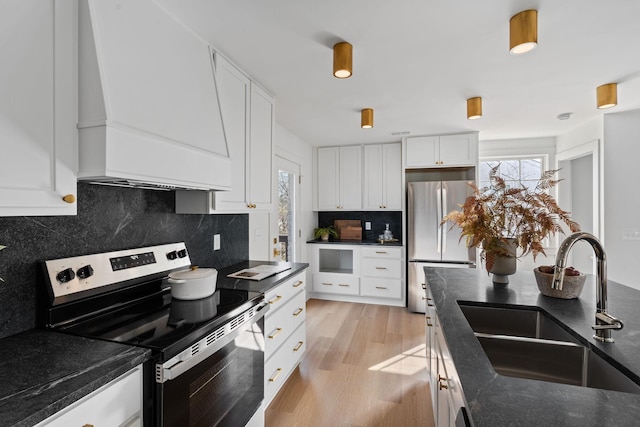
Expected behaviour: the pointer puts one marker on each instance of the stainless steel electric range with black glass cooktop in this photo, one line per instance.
(208, 354)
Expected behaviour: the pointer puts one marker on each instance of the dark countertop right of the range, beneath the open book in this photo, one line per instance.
(263, 285)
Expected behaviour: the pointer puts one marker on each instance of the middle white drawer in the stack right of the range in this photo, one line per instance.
(280, 325)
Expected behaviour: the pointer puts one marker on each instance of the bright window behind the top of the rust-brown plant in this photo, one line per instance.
(515, 171)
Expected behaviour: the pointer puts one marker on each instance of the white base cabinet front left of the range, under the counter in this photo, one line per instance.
(118, 404)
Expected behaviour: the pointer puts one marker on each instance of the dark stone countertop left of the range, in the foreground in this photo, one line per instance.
(42, 372)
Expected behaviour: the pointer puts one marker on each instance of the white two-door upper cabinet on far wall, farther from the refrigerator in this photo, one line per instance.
(339, 178)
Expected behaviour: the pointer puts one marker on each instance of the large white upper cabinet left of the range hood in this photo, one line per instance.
(38, 116)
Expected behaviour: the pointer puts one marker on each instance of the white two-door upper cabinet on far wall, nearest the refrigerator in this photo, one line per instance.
(382, 177)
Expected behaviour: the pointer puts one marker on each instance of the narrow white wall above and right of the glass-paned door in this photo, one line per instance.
(292, 148)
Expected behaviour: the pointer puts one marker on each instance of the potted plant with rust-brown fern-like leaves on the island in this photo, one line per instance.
(500, 220)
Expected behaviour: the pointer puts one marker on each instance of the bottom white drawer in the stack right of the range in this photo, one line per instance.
(279, 367)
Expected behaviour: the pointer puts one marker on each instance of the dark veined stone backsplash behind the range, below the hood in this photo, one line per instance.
(108, 219)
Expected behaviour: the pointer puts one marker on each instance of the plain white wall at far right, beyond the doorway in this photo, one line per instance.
(622, 195)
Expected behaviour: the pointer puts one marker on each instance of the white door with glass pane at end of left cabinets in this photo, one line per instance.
(285, 229)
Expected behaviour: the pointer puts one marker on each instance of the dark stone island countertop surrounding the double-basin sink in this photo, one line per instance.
(495, 400)
